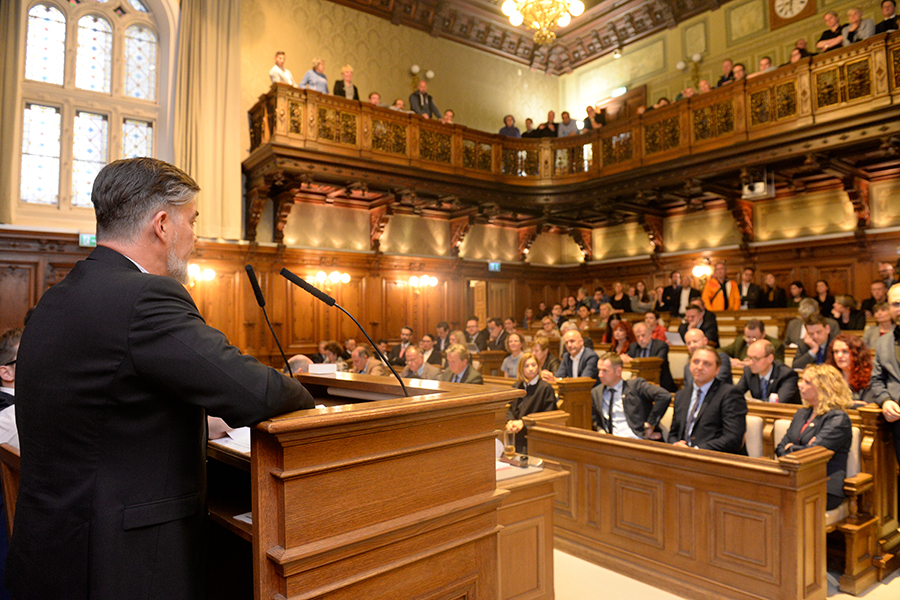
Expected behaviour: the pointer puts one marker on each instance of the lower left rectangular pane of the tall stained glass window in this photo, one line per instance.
(40, 154)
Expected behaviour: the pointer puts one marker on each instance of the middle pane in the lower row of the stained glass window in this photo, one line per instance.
(89, 154)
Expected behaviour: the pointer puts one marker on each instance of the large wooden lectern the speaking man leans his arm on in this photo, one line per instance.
(377, 496)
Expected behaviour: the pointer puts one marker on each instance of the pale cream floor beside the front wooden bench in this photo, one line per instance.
(577, 579)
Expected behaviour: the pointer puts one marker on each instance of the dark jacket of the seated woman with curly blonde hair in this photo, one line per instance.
(833, 431)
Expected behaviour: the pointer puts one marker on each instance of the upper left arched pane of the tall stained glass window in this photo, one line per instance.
(45, 46)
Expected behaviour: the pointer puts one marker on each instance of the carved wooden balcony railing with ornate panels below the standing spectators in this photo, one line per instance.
(835, 85)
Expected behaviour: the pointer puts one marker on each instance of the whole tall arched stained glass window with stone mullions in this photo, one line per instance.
(80, 114)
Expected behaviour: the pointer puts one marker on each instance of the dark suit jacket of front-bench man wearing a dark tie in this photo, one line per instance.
(721, 422)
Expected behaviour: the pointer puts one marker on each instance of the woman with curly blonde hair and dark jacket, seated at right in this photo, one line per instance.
(823, 422)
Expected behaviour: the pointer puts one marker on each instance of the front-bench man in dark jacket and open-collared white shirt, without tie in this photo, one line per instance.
(630, 408)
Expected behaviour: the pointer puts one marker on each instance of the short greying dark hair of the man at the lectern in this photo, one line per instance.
(128, 192)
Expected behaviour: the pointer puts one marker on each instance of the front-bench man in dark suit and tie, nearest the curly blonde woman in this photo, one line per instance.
(710, 414)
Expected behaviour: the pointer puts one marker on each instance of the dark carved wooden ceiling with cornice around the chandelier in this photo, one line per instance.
(604, 26)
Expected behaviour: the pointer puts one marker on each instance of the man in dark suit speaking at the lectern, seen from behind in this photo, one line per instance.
(116, 374)
